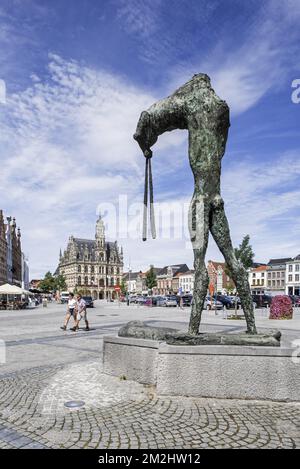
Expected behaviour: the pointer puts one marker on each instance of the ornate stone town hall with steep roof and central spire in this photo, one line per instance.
(92, 266)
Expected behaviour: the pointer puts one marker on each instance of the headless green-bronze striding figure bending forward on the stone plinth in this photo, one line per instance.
(196, 107)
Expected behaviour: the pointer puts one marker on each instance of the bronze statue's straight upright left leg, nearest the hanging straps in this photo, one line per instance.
(199, 231)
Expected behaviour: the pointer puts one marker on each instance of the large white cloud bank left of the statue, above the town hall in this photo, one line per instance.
(67, 146)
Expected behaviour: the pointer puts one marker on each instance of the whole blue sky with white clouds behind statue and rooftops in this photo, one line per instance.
(77, 76)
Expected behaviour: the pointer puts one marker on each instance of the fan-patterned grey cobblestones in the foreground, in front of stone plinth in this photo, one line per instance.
(123, 414)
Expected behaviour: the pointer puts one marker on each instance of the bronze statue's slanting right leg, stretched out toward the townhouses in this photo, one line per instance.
(220, 231)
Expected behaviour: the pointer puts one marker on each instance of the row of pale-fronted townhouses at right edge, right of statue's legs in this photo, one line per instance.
(278, 277)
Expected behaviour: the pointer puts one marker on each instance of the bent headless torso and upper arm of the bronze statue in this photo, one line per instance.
(196, 107)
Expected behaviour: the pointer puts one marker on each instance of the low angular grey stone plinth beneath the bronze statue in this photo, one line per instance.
(218, 371)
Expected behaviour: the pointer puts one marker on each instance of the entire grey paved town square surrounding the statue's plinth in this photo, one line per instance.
(45, 367)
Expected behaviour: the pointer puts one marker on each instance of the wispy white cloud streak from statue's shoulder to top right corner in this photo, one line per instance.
(242, 75)
